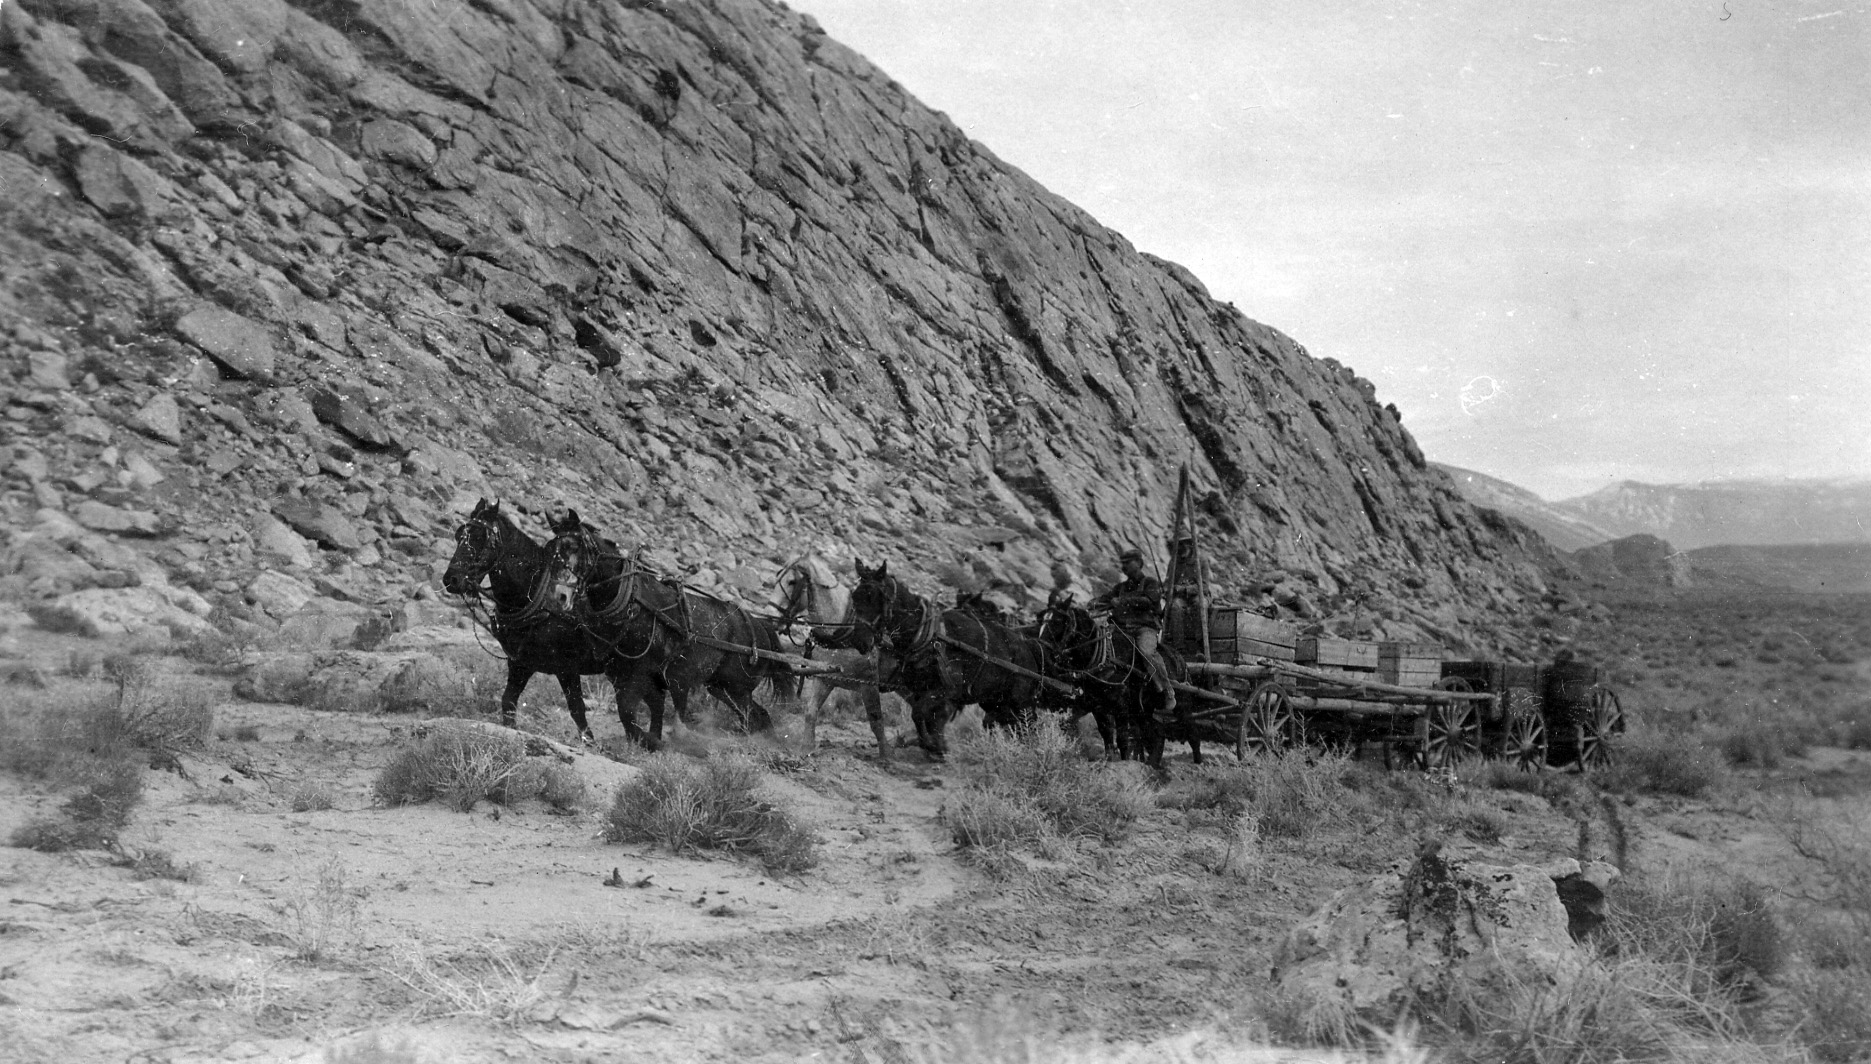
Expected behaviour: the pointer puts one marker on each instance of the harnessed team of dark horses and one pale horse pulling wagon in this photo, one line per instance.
(579, 607)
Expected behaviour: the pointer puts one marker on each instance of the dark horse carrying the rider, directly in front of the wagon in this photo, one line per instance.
(1114, 683)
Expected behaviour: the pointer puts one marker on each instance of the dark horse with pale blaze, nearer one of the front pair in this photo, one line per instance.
(663, 635)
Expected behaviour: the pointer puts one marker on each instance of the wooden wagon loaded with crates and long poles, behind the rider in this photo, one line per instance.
(1264, 687)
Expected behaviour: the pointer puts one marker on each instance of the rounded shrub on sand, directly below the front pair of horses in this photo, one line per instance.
(710, 805)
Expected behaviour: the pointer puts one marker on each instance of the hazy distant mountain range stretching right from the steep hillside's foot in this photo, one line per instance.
(1724, 513)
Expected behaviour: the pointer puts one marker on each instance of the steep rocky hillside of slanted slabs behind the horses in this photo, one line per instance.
(291, 285)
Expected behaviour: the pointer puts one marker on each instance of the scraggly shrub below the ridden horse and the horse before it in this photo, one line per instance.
(1041, 771)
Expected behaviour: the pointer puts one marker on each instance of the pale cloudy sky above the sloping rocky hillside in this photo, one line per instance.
(1573, 242)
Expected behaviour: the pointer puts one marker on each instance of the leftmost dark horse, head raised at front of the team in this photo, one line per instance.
(530, 627)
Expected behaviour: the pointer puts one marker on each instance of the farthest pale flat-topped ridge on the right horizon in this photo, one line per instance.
(1732, 511)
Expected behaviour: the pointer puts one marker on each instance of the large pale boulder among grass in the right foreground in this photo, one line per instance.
(1449, 927)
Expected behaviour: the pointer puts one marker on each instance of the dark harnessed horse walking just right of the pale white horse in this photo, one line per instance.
(942, 657)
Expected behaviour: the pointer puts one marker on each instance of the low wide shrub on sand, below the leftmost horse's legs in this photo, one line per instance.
(463, 766)
